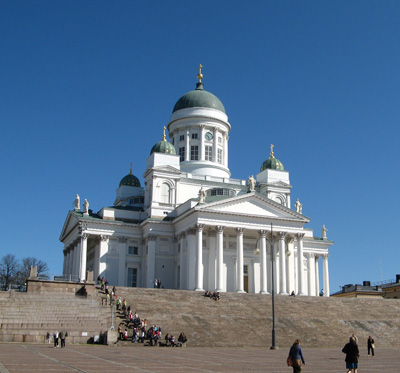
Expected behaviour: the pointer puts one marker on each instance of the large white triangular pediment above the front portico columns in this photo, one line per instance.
(255, 205)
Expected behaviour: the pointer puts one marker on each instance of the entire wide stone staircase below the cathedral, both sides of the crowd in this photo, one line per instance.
(240, 320)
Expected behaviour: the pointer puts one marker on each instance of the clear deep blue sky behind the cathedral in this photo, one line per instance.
(87, 86)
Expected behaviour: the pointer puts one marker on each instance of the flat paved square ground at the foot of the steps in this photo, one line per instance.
(23, 357)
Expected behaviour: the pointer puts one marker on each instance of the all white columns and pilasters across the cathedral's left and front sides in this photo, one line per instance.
(278, 246)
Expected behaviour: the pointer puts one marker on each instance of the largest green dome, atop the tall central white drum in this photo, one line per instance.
(199, 98)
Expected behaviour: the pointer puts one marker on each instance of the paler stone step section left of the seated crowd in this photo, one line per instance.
(26, 317)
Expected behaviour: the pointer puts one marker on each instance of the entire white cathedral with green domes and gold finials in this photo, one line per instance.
(194, 227)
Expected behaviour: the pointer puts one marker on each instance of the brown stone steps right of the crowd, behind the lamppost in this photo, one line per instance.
(246, 319)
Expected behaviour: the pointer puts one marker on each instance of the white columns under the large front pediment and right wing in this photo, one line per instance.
(278, 247)
